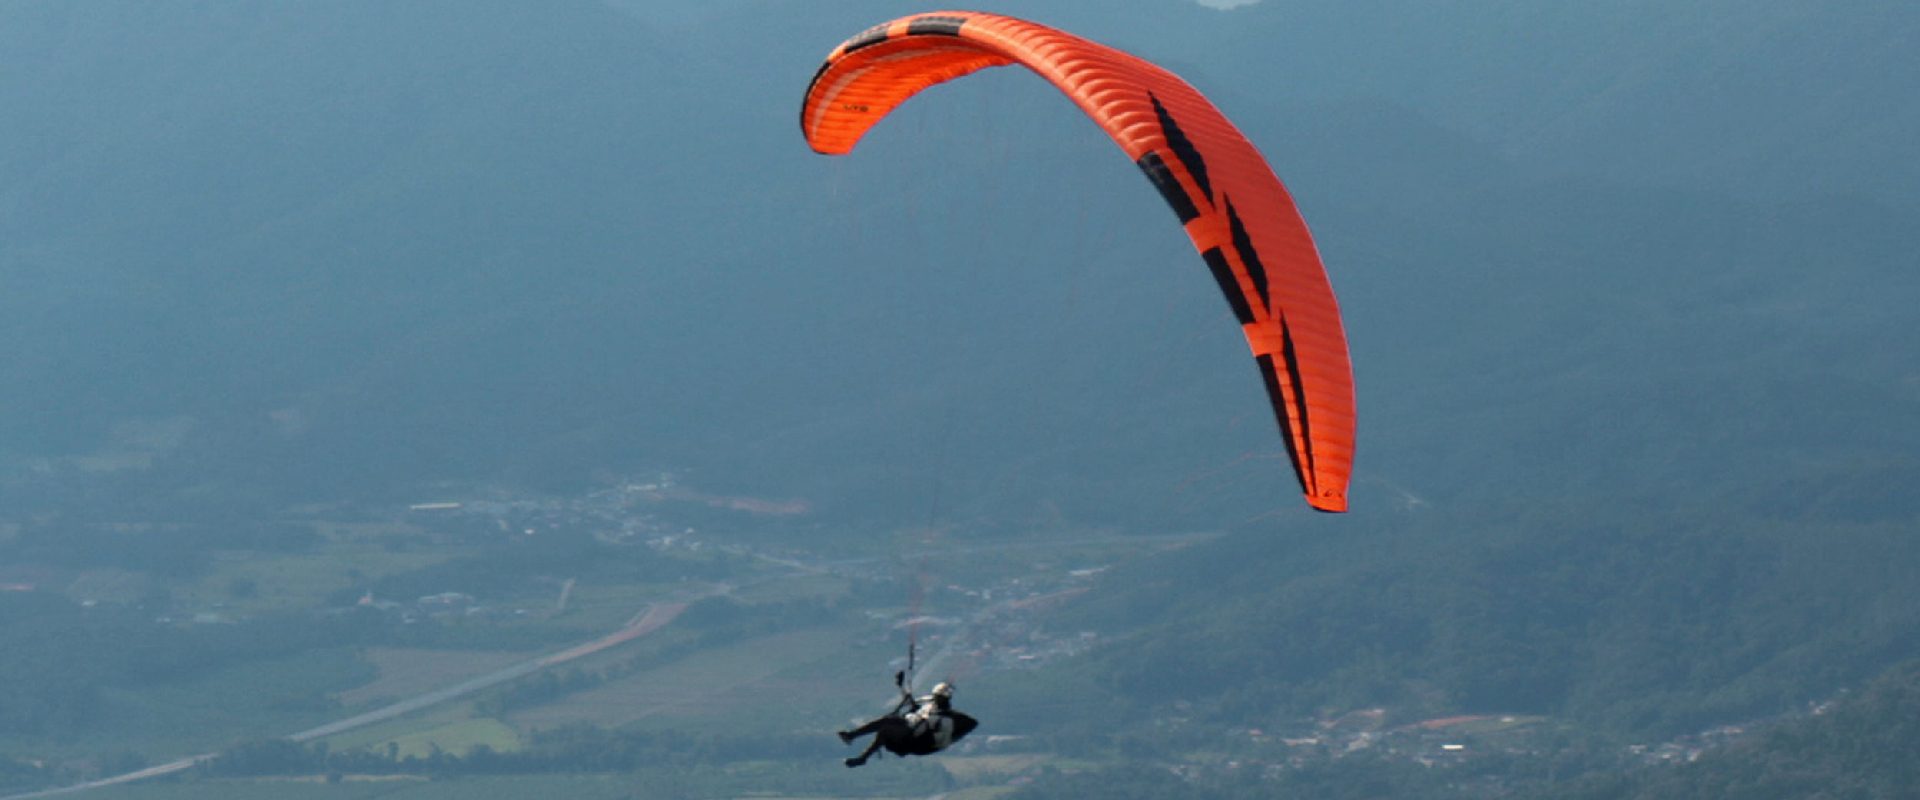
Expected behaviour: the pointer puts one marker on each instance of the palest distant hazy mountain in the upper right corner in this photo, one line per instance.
(1758, 99)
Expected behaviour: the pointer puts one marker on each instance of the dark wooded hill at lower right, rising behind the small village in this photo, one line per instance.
(1656, 630)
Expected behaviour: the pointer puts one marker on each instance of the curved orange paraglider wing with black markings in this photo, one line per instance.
(1232, 204)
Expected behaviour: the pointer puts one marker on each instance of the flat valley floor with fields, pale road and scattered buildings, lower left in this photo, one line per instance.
(421, 646)
